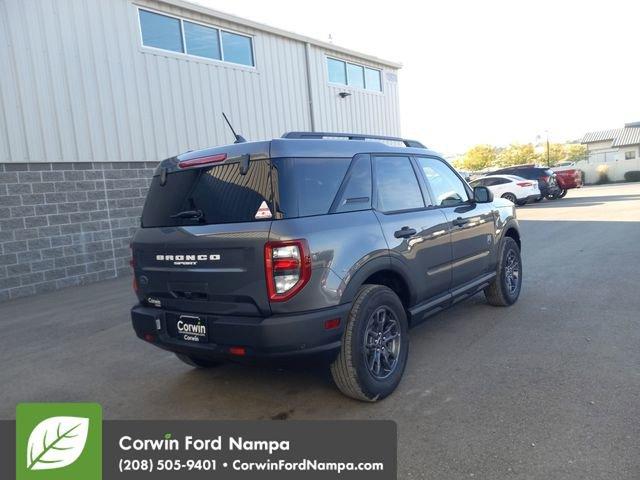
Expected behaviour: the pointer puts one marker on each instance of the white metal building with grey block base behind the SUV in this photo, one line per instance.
(94, 93)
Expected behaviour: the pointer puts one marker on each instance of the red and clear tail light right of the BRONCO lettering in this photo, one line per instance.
(287, 267)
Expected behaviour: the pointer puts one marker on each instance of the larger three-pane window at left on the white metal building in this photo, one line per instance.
(182, 36)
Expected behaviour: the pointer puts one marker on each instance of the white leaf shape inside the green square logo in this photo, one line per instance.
(56, 442)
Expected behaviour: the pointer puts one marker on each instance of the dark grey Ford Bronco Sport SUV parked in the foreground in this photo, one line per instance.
(315, 244)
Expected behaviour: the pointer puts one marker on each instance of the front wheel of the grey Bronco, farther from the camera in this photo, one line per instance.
(502, 291)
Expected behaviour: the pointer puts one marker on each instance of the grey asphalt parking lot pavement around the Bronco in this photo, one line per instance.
(548, 388)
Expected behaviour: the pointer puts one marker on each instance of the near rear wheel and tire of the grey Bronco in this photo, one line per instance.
(354, 370)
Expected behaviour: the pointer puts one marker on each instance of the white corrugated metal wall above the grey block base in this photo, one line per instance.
(77, 86)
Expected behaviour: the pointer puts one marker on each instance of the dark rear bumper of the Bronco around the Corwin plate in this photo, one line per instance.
(275, 336)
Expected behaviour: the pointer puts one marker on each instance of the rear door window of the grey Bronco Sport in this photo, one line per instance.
(397, 187)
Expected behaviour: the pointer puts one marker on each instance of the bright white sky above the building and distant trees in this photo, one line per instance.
(486, 71)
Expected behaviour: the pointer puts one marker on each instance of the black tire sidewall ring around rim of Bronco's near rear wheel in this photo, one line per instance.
(372, 387)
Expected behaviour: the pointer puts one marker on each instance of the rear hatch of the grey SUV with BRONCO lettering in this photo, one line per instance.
(204, 228)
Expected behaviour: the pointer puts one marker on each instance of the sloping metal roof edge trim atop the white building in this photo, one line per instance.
(196, 7)
